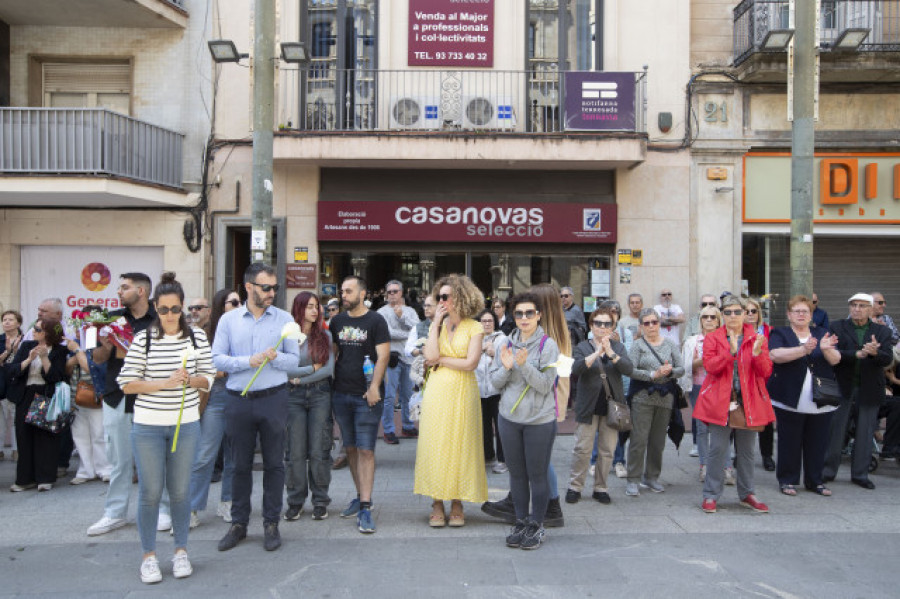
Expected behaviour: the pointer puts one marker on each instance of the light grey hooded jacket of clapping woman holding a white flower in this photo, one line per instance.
(538, 406)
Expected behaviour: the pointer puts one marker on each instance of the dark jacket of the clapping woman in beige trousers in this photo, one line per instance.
(590, 382)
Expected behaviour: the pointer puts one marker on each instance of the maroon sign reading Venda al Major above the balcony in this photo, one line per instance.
(451, 33)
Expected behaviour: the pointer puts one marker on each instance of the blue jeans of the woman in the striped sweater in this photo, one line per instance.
(159, 468)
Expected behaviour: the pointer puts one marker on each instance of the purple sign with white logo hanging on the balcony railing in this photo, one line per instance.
(599, 101)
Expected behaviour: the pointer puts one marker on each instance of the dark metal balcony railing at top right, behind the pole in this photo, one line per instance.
(753, 19)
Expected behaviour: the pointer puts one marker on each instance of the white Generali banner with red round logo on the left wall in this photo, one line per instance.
(81, 275)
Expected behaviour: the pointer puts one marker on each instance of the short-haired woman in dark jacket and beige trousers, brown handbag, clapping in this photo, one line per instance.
(600, 364)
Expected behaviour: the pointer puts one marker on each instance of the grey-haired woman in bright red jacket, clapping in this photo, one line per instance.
(737, 363)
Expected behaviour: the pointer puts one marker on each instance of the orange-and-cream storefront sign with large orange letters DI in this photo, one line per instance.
(847, 189)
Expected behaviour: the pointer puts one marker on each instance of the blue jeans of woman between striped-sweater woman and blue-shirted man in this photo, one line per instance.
(212, 429)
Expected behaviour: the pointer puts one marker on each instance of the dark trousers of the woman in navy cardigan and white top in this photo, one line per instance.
(802, 441)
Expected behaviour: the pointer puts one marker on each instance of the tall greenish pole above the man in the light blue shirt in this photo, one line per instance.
(263, 125)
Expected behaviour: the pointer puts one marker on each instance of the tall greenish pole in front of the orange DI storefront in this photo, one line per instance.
(802, 104)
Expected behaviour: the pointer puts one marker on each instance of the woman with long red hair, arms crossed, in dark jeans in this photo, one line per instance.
(309, 424)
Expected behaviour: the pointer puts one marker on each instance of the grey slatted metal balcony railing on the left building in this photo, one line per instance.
(88, 141)
